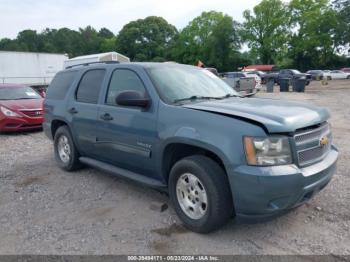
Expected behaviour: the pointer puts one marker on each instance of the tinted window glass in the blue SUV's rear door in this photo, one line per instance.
(90, 86)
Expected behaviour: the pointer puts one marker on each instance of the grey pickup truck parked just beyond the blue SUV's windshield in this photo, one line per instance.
(242, 82)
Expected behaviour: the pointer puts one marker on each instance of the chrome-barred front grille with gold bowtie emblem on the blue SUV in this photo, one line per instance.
(308, 143)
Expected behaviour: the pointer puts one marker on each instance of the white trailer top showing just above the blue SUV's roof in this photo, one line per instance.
(96, 58)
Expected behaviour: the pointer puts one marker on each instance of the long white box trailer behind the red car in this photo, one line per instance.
(34, 69)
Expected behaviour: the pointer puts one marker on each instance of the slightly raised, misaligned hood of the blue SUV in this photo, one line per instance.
(278, 116)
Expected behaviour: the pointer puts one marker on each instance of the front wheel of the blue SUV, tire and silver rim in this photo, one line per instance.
(212, 178)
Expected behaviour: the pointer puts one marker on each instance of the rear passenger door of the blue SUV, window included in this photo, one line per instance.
(82, 110)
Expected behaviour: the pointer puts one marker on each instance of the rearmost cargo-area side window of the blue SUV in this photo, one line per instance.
(60, 84)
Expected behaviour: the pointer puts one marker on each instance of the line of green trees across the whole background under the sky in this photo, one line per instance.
(305, 34)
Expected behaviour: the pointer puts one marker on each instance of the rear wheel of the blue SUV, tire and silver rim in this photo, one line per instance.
(71, 161)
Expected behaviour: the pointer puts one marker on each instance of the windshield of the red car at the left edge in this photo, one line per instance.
(16, 93)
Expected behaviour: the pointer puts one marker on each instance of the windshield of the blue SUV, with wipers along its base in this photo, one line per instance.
(176, 83)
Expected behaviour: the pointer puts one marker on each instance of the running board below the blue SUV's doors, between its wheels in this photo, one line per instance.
(123, 173)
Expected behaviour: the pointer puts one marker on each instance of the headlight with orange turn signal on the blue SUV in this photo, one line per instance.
(267, 151)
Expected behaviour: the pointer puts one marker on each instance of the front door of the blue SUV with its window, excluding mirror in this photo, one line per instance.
(126, 136)
